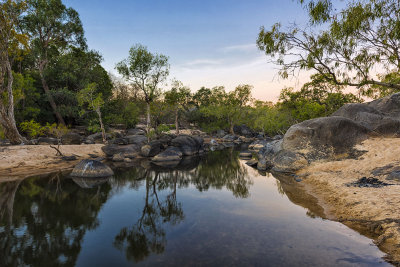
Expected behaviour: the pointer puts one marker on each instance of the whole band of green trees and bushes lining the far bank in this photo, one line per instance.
(49, 75)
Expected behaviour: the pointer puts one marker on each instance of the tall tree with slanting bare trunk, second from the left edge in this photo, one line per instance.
(53, 28)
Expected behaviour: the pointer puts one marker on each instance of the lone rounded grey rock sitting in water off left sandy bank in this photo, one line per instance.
(88, 168)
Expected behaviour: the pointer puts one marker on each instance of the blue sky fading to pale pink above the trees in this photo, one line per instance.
(209, 42)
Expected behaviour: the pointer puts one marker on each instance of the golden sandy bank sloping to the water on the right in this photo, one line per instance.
(376, 210)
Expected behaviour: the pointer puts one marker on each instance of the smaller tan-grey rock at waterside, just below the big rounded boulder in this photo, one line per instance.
(288, 161)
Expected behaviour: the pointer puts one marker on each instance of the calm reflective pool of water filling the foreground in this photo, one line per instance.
(213, 211)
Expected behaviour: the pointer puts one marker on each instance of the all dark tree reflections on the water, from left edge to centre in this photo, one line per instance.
(43, 219)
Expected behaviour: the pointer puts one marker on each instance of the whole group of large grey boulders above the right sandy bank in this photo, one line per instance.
(329, 137)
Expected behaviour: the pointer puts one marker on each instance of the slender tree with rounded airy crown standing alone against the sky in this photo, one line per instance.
(146, 71)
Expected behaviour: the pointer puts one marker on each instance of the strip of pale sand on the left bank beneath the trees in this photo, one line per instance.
(22, 161)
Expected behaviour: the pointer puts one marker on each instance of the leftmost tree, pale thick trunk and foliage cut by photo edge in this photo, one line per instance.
(11, 41)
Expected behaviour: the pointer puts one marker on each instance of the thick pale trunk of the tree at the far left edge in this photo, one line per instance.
(7, 119)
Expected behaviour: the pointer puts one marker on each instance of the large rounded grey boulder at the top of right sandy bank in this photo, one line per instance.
(323, 137)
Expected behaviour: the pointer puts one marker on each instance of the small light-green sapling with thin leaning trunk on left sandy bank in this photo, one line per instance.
(94, 101)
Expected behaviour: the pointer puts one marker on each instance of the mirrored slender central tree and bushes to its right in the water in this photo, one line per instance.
(217, 170)
